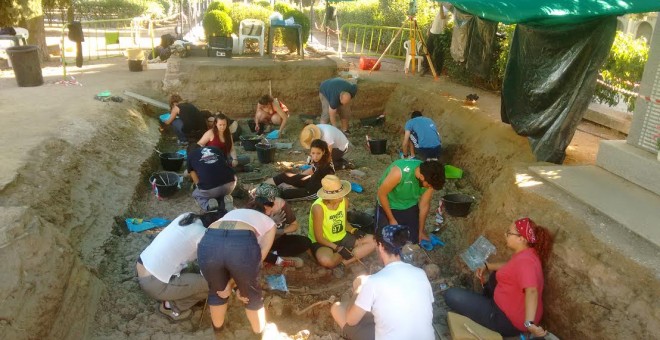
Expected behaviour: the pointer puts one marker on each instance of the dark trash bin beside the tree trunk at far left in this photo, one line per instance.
(26, 64)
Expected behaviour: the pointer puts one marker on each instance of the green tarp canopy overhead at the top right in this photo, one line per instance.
(552, 12)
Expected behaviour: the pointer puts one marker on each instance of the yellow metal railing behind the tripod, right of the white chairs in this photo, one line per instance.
(372, 40)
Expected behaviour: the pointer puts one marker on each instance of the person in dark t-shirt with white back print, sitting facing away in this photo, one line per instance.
(211, 174)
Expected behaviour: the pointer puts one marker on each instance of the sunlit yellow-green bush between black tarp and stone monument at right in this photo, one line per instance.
(623, 69)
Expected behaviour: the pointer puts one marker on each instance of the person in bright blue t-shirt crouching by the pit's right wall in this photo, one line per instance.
(425, 138)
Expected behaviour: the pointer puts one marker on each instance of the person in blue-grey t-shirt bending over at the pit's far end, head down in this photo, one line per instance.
(336, 95)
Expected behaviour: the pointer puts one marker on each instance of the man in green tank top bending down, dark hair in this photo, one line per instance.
(404, 196)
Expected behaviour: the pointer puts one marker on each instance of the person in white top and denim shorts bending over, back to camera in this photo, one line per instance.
(233, 248)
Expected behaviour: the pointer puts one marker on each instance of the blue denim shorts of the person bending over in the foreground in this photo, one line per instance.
(225, 254)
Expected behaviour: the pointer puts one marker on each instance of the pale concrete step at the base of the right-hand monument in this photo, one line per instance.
(624, 202)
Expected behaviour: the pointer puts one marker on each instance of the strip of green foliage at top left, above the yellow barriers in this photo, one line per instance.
(106, 9)
